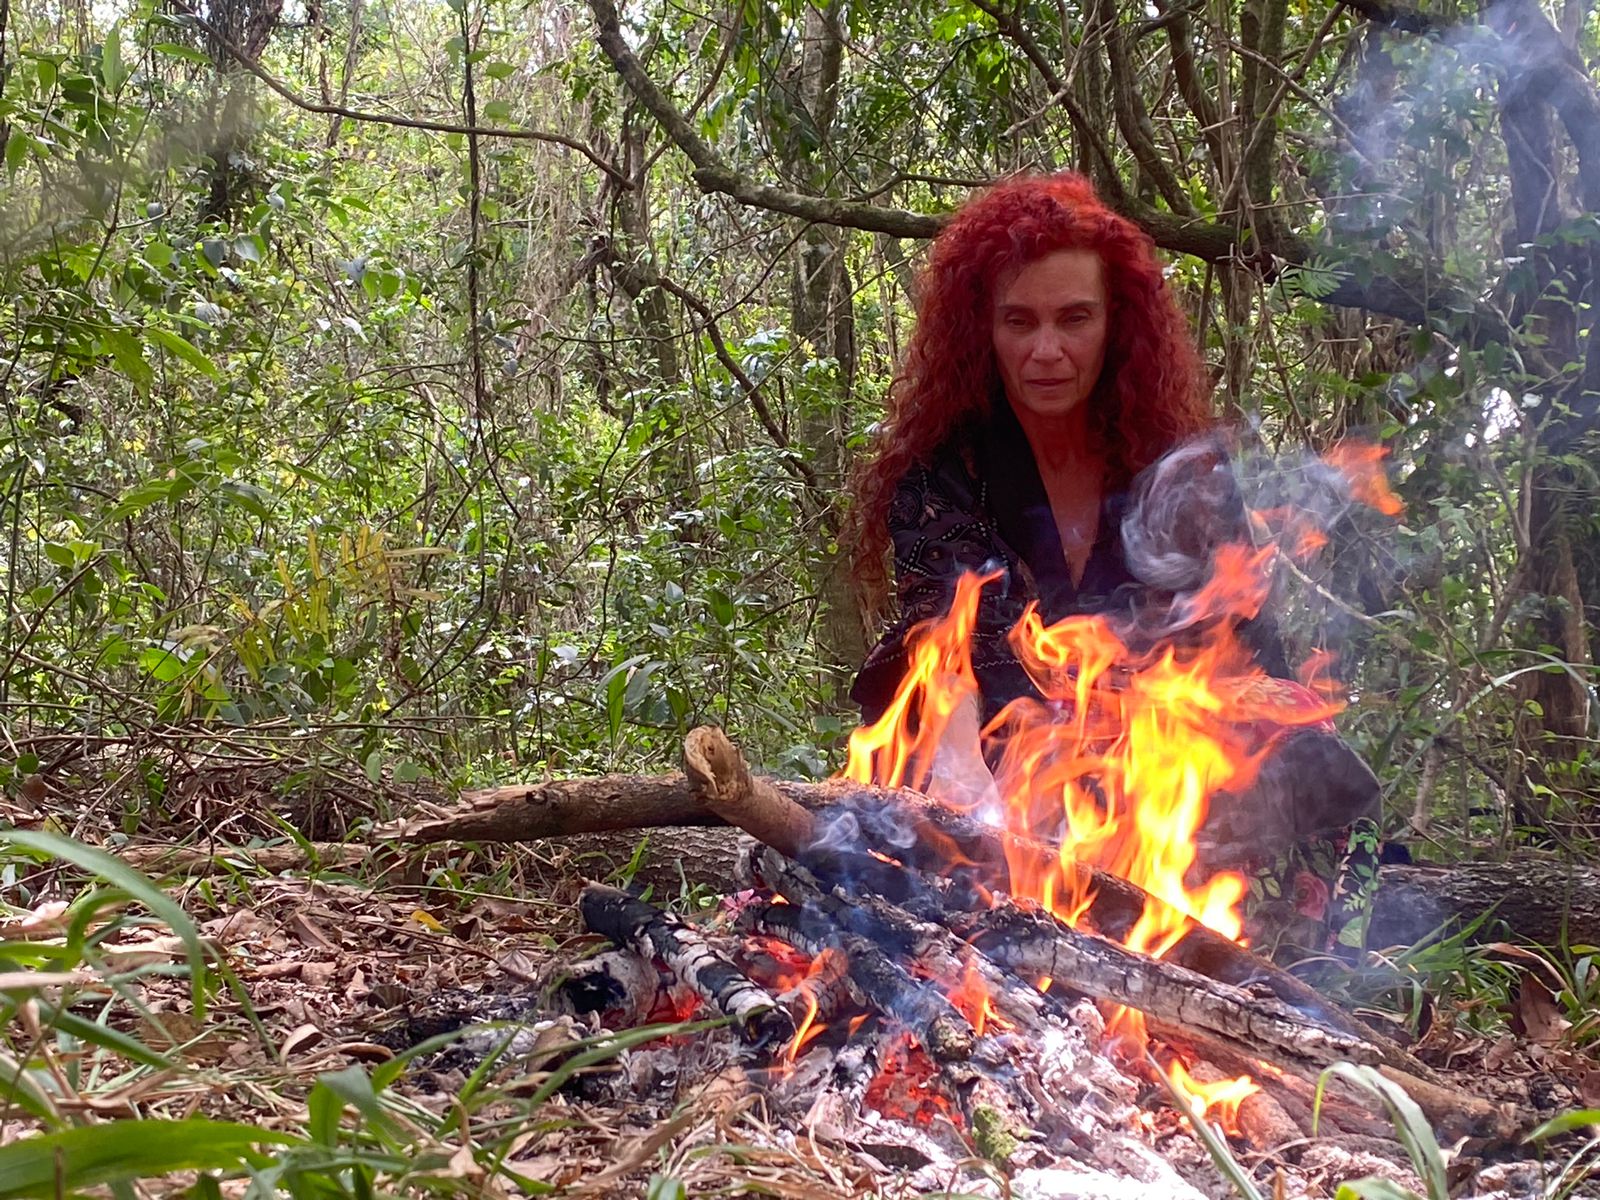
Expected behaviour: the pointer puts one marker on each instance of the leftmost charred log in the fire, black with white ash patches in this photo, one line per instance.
(641, 927)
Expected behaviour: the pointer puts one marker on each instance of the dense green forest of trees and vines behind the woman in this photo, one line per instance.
(465, 391)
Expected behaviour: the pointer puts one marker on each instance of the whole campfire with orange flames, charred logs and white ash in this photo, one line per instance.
(1009, 942)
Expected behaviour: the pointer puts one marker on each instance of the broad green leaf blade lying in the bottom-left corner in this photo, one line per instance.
(126, 1151)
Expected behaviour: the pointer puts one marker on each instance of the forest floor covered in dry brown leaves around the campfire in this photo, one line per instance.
(335, 972)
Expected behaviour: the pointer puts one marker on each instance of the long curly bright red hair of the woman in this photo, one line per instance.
(1151, 394)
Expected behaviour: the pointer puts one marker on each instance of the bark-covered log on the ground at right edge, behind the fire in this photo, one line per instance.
(1538, 900)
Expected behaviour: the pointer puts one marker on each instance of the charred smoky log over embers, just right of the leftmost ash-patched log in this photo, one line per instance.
(882, 983)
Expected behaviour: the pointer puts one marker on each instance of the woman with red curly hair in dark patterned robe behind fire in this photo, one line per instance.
(1050, 367)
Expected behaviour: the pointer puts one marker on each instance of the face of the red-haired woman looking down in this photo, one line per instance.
(1050, 324)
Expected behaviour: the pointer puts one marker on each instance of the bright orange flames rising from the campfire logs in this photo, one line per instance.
(1130, 742)
